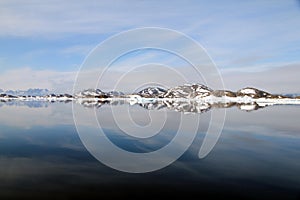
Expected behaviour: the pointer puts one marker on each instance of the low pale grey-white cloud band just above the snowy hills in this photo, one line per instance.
(282, 79)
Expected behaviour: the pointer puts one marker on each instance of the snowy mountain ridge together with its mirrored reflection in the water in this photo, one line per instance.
(185, 98)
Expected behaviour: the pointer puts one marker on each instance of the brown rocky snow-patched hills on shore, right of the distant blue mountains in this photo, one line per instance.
(186, 91)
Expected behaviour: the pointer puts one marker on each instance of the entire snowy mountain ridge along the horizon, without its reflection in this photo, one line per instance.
(193, 91)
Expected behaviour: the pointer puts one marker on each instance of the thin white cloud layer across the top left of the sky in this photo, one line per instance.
(50, 17)
